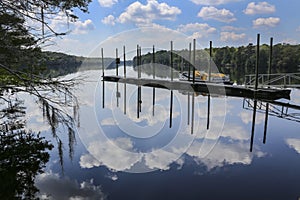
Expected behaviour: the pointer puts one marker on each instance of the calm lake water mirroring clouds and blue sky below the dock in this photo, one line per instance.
(130, 150)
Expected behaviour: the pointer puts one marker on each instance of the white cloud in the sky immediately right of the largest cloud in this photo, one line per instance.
(221, 15)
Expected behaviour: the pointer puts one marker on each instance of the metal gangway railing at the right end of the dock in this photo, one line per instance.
(284, 80)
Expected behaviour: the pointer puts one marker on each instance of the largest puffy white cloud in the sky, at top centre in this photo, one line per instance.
(144, 14)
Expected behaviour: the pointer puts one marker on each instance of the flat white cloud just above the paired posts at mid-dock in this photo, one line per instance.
(198, 30)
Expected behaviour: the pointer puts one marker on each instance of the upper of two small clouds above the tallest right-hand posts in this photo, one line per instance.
(259, 8)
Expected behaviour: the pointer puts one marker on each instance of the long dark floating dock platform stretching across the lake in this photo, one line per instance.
(207, 88)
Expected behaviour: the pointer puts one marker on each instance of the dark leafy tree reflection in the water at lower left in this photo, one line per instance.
(23, 153)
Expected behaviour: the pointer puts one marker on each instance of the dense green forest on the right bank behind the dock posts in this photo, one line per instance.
(235, 61)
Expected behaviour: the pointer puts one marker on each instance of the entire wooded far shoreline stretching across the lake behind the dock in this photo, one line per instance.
(235, 61)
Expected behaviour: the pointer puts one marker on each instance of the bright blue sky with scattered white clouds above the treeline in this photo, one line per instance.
(225, 22)
